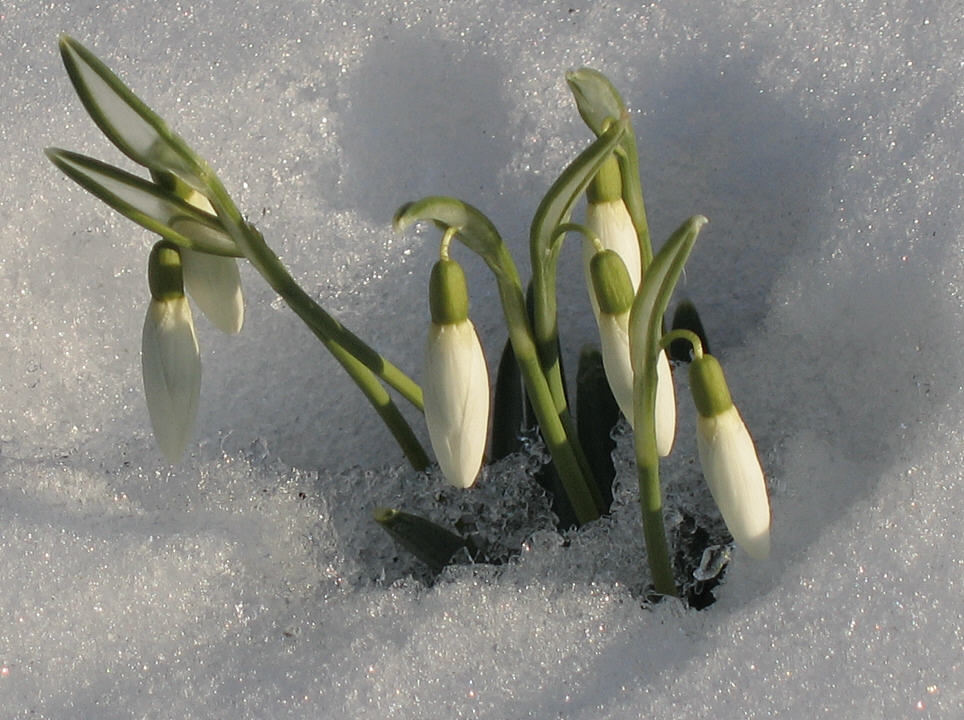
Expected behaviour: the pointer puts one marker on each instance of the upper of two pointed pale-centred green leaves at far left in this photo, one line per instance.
(125, 119)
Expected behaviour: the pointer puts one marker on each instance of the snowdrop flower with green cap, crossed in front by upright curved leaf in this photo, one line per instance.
(613, 292)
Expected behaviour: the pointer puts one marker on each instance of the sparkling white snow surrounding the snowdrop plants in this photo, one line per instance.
(823, 141)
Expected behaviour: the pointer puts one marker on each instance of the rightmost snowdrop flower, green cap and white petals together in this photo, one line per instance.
(730, 462)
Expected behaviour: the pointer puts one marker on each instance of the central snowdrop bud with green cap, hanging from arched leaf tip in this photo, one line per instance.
(455, 380)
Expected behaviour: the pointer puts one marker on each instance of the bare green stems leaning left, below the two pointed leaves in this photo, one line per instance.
(359, 360)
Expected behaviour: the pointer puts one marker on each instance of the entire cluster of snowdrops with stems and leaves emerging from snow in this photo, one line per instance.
(203, 233)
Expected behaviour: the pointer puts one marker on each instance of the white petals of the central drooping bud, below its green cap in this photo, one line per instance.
(456, 396)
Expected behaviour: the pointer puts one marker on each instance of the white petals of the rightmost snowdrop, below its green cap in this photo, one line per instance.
(732, 471)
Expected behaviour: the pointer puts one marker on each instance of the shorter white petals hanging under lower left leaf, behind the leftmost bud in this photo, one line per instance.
(215, 284)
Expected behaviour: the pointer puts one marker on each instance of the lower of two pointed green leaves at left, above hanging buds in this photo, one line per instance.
(146, 204)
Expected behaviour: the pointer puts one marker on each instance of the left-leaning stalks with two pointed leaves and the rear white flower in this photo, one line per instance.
(188, 205)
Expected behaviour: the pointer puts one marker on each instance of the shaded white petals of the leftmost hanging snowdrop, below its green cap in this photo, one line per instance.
(172, 373)
